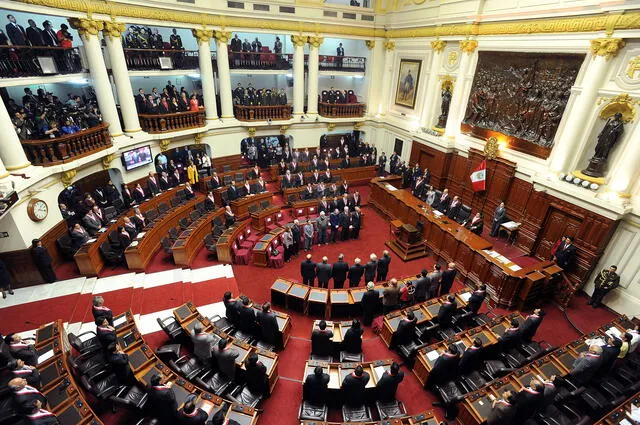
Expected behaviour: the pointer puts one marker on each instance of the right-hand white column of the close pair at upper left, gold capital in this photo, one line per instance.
(112, 34)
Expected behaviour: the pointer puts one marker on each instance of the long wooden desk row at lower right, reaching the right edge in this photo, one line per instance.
(476, 405)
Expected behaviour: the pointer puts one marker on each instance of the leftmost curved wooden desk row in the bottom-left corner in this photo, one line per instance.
(65, 398)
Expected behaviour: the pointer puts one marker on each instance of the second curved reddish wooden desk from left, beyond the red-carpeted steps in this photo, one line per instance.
(138, 255)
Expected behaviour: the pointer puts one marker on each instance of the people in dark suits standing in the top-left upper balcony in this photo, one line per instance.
(17, 53)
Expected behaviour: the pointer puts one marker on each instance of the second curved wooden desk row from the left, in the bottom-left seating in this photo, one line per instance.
(145, 364)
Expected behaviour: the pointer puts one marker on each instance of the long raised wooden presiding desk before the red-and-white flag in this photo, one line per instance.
(452, 242)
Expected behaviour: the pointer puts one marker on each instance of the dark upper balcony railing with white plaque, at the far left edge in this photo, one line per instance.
(24, 61)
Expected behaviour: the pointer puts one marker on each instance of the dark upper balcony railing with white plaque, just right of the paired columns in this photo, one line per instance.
(138, 59)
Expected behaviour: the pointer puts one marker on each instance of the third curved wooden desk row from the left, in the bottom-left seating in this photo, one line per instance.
(187, 316)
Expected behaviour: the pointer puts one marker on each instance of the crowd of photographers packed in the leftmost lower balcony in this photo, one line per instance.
(45, 116)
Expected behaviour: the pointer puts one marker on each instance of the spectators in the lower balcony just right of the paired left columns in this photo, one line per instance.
(169, 101)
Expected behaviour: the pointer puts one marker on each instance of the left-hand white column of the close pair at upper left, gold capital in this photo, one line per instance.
(88, 30)
